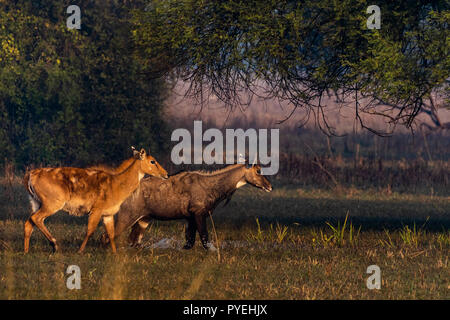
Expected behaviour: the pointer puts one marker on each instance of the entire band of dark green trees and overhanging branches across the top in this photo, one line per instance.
(84, 96)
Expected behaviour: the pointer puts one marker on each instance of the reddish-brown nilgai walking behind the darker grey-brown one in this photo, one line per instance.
(84, 191)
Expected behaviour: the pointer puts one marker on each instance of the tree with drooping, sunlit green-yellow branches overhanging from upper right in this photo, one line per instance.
(302, 52)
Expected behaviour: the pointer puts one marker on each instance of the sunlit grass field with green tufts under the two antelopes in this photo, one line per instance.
(290, 244)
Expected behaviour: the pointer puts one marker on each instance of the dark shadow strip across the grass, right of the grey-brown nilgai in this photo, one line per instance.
(373, 215)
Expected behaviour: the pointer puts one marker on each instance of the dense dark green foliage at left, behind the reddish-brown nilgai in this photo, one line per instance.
(73, 97)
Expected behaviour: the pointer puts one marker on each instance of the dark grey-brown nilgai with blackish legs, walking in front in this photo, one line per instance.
(187, 195)
